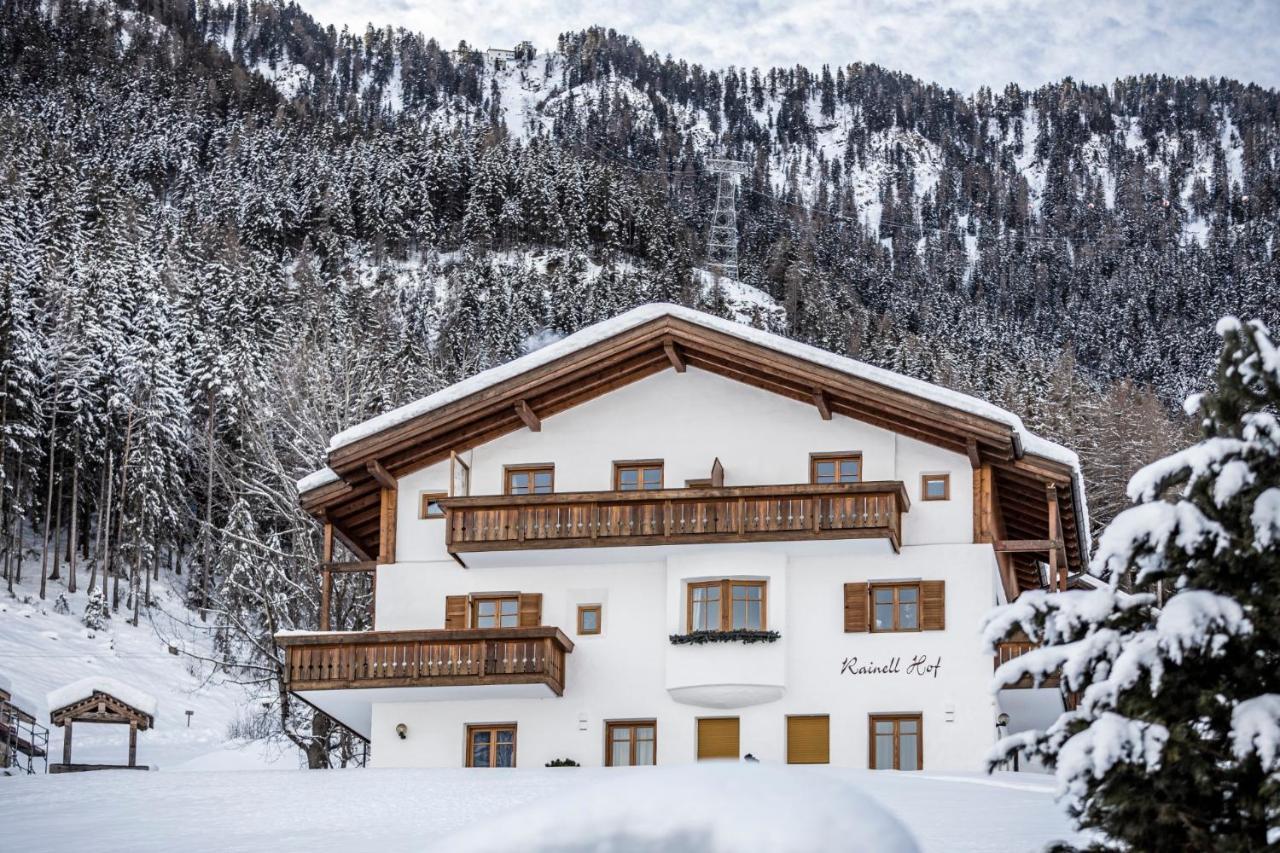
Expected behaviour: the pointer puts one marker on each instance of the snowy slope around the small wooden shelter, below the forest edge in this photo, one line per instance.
(43, 651)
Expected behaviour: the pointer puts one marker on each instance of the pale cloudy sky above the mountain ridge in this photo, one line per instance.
(958, 43)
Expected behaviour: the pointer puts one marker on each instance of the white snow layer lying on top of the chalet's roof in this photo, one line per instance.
(623, 323)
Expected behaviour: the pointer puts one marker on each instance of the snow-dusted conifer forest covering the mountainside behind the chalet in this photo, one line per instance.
(227, 232)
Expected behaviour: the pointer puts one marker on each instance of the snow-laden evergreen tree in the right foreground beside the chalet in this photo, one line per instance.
(1176, 741)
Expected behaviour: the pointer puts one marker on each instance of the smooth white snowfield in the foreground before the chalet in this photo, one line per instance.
(701, 808)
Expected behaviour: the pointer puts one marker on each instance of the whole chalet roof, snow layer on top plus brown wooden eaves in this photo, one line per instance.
(1028, 472)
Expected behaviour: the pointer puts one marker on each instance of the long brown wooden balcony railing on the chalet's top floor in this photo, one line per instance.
(676, 517)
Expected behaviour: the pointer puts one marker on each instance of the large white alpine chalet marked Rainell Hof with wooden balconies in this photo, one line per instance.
(670, 537)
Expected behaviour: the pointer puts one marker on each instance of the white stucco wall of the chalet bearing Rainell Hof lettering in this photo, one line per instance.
(632, 670)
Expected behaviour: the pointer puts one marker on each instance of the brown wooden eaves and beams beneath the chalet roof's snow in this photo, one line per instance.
(1017, 481)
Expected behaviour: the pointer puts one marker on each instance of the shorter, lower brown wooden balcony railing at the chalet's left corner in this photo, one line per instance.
(344, 660)
